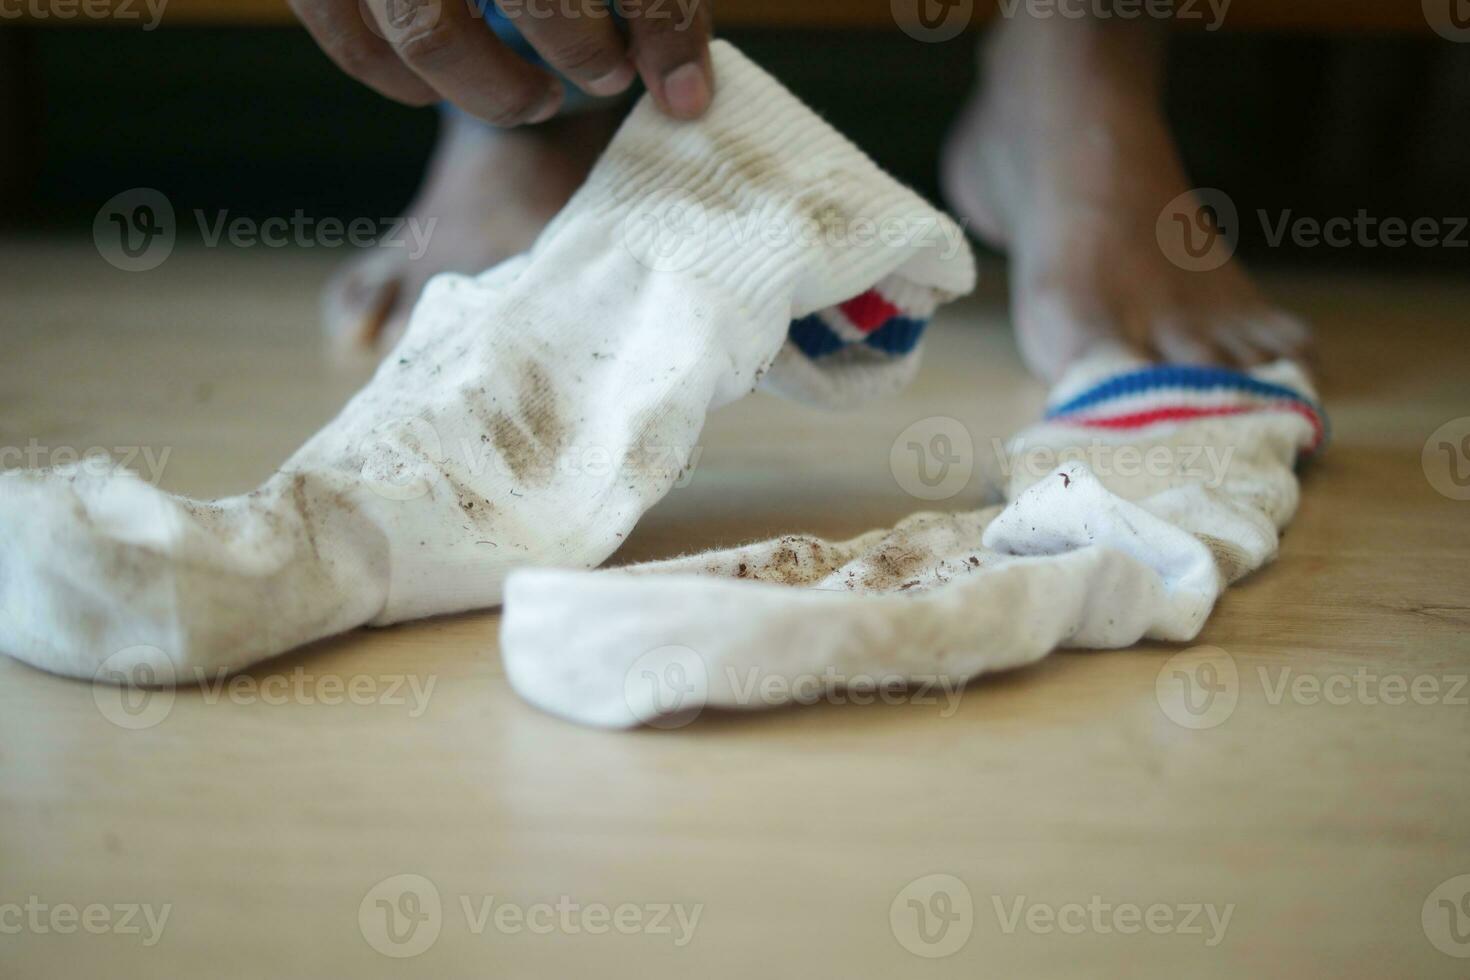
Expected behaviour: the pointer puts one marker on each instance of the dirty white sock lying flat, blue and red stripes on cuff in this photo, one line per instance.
(1143, 496)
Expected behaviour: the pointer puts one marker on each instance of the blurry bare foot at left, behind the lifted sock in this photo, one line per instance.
(486, 198)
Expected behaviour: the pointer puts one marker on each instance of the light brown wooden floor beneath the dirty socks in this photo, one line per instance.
(806, 838)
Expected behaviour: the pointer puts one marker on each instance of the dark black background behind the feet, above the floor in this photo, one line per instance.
(258, 121)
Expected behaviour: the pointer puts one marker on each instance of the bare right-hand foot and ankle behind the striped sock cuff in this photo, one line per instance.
(1064, 159)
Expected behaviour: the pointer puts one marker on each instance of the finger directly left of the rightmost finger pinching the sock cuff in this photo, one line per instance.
(578, 39)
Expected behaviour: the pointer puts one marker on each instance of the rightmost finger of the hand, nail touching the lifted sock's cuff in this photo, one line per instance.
(671, 48)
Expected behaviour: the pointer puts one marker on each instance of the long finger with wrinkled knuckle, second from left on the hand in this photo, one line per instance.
(449, 46)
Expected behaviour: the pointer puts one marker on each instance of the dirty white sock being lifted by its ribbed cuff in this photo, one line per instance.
(530, 417)
